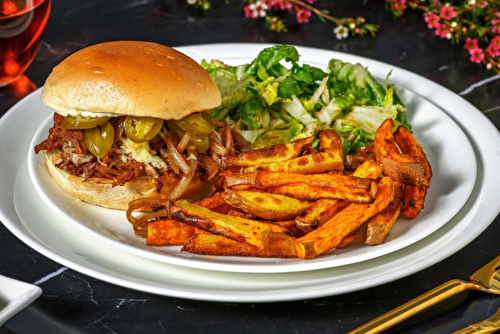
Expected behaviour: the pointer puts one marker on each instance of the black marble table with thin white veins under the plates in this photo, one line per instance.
(75, 303)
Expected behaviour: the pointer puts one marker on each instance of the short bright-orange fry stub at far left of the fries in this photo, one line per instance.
(170, 232)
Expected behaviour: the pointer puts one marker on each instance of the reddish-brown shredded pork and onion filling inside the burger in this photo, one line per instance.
(121, 167)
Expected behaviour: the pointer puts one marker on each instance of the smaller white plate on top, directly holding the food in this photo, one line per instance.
(453, 180)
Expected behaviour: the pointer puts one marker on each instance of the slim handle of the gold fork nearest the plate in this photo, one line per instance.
(413, 307)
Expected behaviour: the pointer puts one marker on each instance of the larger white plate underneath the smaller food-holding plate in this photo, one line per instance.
(24, 213)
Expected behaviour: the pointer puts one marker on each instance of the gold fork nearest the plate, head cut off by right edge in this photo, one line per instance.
(486, 279)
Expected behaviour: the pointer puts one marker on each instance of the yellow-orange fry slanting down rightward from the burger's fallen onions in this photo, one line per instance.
(248, 231)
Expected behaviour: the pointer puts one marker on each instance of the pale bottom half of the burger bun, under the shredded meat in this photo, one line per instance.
(101, 192)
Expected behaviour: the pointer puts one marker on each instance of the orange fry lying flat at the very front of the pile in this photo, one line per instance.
(279, 245)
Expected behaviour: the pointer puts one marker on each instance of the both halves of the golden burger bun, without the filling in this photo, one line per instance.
(127, 78)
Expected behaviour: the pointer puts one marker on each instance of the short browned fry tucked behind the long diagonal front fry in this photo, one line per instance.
(319, 213)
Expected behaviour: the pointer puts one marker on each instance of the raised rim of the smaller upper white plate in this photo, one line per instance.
(245, 265)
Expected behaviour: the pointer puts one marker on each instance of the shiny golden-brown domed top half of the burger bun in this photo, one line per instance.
(130, 78)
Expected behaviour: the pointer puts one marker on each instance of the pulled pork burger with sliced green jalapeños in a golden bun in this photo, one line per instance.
(131, 121)
